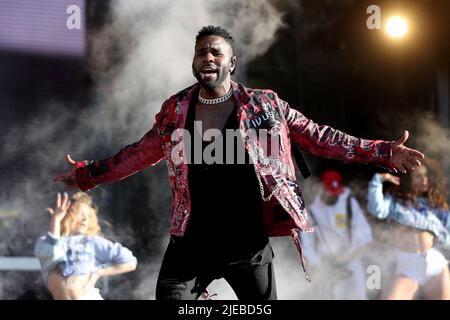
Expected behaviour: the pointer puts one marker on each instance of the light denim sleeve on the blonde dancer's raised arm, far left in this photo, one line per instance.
(49, 251)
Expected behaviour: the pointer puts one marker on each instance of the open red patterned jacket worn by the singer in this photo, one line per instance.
(258, 109)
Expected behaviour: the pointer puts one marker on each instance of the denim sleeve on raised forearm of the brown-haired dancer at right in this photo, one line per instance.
(378, 205)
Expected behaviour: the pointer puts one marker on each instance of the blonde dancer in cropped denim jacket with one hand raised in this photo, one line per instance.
(73, 255)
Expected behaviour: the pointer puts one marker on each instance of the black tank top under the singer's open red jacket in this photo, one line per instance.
(226, 223)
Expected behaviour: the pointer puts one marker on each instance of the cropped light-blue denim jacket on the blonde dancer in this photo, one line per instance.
(79, 254)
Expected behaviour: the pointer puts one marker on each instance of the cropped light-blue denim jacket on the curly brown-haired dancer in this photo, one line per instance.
(419, 216)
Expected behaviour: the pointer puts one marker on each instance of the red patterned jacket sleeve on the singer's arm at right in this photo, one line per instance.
(324, 141)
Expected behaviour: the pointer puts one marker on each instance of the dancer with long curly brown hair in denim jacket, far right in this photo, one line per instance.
(419, 210)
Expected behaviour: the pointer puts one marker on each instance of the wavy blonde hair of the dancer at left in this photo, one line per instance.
(68, 221)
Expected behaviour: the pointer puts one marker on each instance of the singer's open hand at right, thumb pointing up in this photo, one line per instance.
(405, 159)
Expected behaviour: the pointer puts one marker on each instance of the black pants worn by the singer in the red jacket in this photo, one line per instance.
(183, 277)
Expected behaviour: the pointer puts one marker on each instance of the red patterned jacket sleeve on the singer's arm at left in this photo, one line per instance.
(147, 152)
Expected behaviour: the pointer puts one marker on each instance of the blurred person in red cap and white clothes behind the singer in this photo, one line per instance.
(341, 236)
